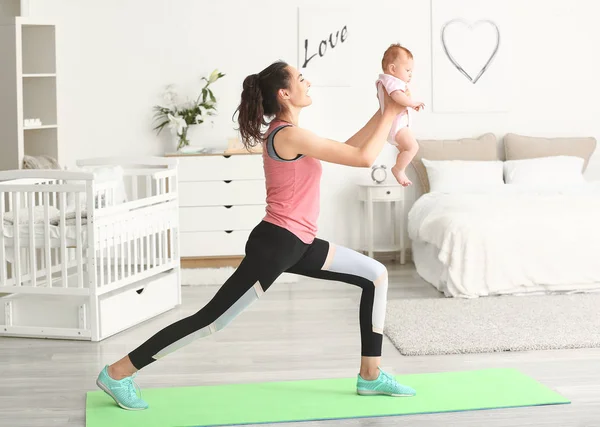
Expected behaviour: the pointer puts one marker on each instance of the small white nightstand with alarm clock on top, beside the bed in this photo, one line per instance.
(393, 194)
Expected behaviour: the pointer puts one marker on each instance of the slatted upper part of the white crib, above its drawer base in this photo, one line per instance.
(81, 236)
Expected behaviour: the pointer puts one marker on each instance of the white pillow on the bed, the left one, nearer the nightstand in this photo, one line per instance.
(463, 176)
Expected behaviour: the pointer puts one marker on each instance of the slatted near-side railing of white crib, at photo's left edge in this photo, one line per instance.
(35, 248)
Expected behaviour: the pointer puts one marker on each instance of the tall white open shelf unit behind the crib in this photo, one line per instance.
(28, 84)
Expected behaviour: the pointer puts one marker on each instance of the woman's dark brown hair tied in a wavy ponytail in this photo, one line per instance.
(259, 101)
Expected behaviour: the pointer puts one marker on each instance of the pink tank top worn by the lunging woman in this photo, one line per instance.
(293, 189)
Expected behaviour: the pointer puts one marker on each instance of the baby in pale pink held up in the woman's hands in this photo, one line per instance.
(397, 66)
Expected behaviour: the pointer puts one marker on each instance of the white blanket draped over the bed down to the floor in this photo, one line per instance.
(512, 240)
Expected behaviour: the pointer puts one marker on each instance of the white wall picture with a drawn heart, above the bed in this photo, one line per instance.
(471, 45)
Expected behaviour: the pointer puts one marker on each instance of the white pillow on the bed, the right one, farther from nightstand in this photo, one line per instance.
(545, 172)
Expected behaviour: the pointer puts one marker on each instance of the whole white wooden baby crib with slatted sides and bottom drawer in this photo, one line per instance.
(85, 255)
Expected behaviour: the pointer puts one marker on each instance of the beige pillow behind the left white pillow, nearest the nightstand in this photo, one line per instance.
(482, 148)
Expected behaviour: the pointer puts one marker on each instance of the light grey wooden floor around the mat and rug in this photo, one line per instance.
(301, 330)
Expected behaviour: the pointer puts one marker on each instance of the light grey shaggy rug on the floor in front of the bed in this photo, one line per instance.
(491, 324)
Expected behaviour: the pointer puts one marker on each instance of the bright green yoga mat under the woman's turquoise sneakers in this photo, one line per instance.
(273, 402)
